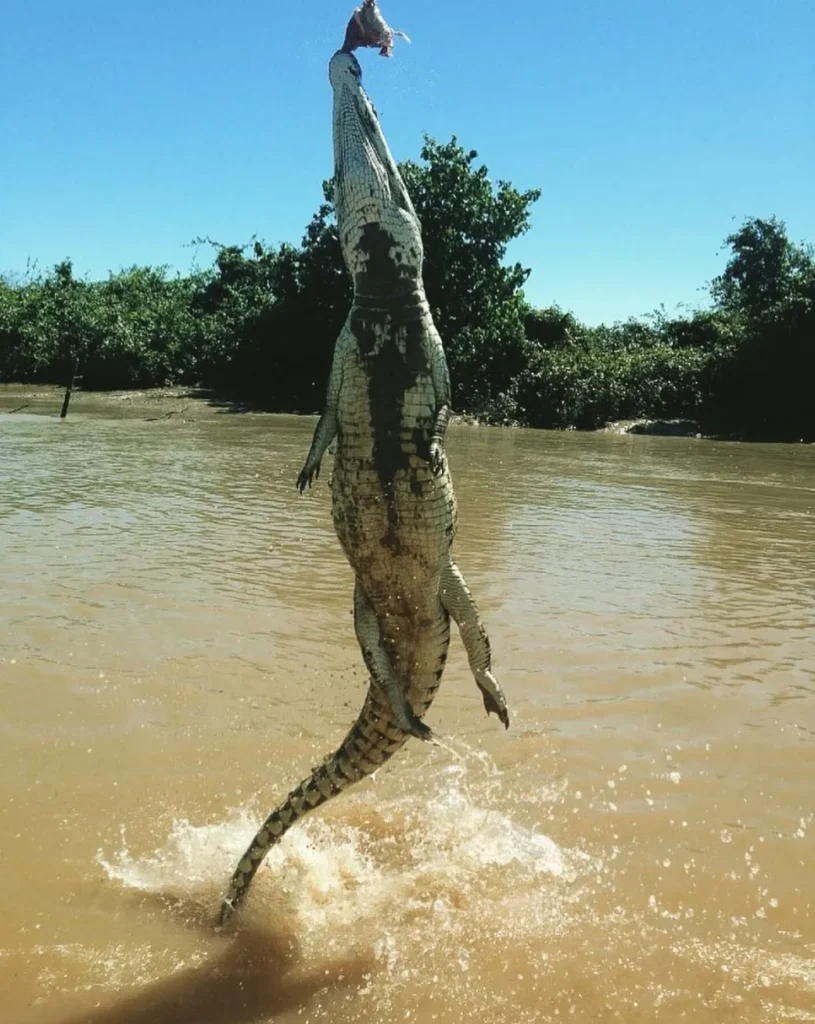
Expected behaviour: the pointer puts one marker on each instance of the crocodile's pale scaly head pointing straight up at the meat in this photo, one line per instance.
(380, 234)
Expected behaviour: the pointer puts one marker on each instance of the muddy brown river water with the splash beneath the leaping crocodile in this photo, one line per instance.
(177, 651)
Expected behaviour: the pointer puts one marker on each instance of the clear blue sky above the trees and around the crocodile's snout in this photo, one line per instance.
(653, 126)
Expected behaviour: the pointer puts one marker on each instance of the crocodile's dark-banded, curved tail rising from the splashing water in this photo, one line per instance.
(372, 741)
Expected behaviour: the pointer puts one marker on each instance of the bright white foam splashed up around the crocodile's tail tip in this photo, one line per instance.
(411, 851)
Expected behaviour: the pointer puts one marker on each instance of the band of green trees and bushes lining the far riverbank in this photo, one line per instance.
(261, 324)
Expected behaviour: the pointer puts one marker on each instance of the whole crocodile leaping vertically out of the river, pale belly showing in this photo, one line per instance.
(395, 511)
